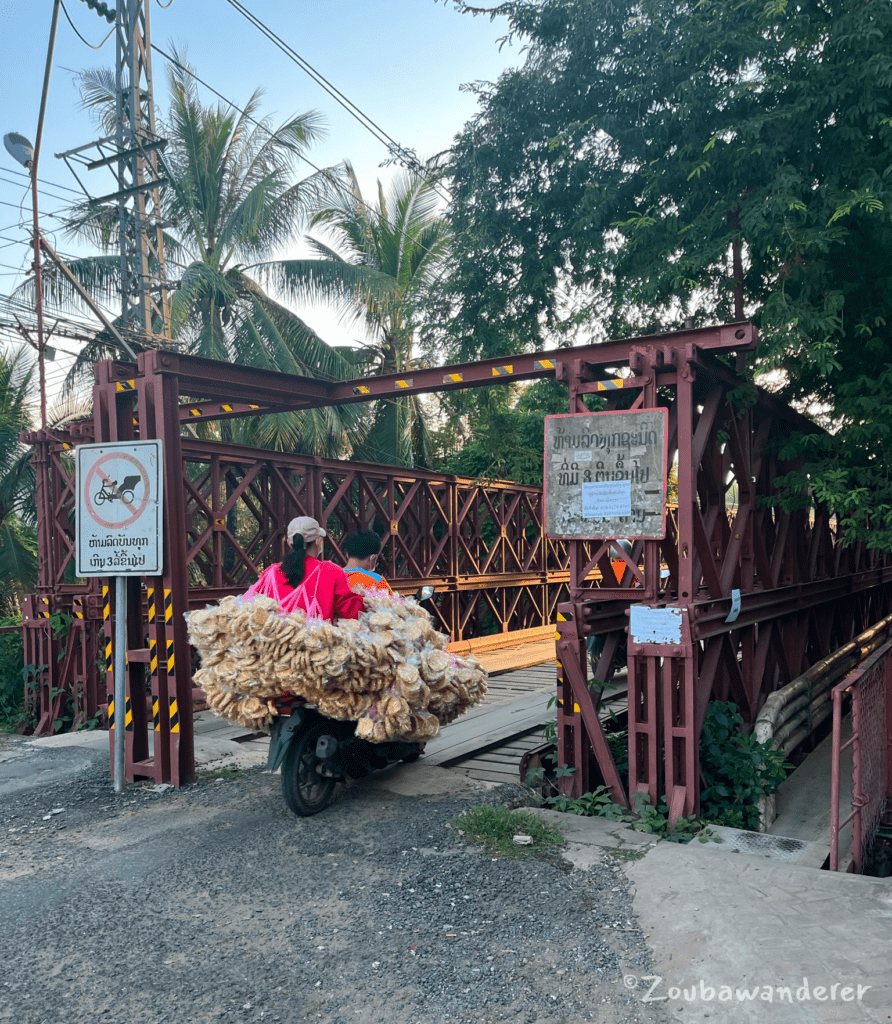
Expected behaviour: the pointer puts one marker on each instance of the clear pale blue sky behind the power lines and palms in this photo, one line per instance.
(402, 62)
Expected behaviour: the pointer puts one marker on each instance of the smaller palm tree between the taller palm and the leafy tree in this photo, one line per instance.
(380, 261)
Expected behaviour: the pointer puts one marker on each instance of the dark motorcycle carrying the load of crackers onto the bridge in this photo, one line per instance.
(317, 753)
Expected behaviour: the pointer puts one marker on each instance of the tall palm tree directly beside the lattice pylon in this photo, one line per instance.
(232, 205)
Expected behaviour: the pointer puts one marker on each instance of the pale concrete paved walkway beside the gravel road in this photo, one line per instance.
(742, 940)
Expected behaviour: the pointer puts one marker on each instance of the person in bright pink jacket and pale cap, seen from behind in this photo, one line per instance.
(303, 581)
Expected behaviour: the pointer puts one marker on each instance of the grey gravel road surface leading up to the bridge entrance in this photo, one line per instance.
(215, 904)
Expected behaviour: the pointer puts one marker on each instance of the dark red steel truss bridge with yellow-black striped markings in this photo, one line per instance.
(803, 592)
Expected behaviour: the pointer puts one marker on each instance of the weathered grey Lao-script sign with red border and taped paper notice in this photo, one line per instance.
(606, 475)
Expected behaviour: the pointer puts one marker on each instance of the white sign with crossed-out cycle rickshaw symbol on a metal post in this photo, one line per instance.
(119, 509)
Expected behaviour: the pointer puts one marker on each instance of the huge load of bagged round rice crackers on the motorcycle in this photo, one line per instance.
(389, 671)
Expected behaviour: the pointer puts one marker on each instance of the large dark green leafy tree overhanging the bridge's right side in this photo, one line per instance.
(655, 162)
